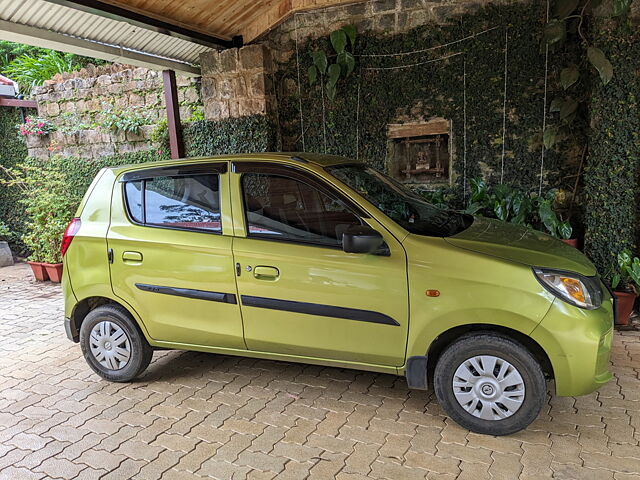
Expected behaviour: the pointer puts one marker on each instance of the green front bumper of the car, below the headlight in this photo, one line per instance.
(578, 343)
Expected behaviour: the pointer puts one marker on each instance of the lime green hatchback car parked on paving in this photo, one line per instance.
(323, 260)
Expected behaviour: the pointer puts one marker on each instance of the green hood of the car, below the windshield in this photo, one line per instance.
(522, 245)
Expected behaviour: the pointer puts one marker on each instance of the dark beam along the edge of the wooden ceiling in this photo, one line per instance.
(145, 20)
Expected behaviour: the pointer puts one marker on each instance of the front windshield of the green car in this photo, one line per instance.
(399, 203)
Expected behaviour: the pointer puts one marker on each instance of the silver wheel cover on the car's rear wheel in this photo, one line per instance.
(110, 345)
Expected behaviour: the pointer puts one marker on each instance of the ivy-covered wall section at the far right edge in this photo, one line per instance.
(612, 175)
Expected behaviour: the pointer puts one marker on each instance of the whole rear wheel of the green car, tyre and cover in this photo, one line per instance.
(113, 345)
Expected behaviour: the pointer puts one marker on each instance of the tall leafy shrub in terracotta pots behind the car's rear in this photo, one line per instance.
(48, 208)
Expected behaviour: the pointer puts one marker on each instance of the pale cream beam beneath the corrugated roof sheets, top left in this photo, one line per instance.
(16, 32)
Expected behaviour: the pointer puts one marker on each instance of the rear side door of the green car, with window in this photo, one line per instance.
(170, 246)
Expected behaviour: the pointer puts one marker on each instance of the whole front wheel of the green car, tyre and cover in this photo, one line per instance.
(489, 384)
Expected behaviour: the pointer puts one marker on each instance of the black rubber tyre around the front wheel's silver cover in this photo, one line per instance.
(505, 349)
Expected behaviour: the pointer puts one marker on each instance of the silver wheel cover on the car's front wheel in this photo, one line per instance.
(488, 387)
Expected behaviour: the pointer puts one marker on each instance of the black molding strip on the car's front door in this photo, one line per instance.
(318, 309)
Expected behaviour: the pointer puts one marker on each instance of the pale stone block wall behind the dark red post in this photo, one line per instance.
(79, 103)
